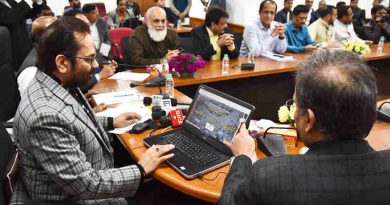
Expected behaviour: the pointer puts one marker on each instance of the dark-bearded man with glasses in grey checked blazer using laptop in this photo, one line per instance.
(65, 153)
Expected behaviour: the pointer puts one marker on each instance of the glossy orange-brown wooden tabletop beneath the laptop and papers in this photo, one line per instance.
(209, 187)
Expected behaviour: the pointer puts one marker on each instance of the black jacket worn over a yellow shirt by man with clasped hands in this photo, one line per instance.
(202, 46)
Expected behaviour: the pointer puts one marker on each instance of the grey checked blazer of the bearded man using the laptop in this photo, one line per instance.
(64, 152)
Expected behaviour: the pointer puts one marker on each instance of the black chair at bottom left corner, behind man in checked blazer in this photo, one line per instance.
(7, 157)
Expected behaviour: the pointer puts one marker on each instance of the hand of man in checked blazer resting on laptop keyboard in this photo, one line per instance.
(154, 156)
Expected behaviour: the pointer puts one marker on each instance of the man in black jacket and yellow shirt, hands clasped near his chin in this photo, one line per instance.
(210, 40)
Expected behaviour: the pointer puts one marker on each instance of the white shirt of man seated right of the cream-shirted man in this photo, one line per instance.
(344, 32)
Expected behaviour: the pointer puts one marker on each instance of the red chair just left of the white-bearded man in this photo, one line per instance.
(116, 36)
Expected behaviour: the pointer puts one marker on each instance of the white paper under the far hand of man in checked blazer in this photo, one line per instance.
(136, 106)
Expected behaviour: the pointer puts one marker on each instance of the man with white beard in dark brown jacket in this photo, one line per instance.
(153, 42)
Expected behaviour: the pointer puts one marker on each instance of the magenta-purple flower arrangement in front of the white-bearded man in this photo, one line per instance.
(186, 63)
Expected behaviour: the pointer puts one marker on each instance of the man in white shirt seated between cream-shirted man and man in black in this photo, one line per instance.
(343, 26)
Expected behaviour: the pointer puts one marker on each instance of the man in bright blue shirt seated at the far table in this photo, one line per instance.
(298, 37)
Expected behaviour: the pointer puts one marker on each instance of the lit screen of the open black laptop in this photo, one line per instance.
(216, 116)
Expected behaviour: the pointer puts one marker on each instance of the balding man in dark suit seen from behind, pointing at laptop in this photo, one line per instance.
(335, 98)
